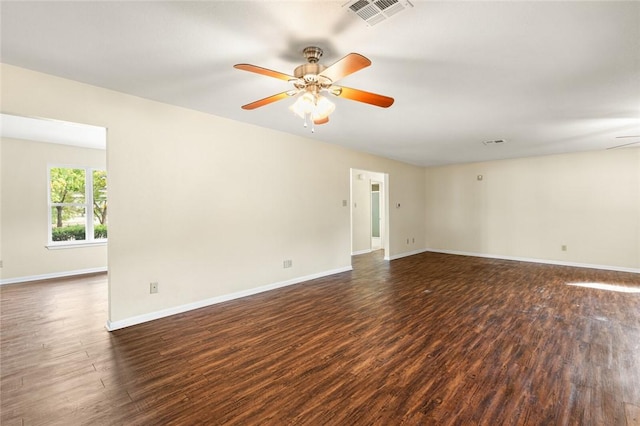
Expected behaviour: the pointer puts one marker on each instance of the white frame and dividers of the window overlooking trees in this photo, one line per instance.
(88, 206)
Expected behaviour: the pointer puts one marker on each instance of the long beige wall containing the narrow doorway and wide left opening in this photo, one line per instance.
(209, 207)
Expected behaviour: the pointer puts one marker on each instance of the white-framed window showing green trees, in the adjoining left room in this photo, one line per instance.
(77, 206)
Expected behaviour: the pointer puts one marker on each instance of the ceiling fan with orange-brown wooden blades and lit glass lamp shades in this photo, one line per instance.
(312, 80)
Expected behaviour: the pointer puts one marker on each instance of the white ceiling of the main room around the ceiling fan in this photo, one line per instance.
(547, 77)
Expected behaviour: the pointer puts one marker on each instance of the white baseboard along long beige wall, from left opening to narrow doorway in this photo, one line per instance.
(139, 319)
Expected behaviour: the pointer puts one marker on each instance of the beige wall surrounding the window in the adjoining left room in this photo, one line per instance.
(24, 211)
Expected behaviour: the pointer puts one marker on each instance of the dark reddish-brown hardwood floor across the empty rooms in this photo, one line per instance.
(430, 339)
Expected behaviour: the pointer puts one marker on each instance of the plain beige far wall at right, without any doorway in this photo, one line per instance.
(529, 208)
